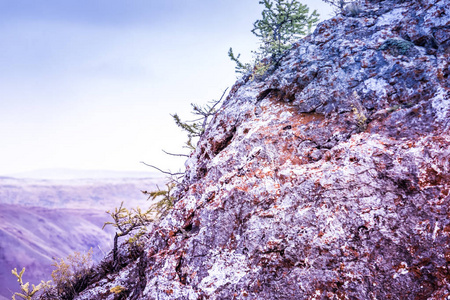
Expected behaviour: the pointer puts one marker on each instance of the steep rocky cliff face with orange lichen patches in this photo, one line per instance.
(327, 179)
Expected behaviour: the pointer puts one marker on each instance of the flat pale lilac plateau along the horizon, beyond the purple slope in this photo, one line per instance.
(77, 193)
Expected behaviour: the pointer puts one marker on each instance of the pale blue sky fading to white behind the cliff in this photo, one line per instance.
(92, 84)
